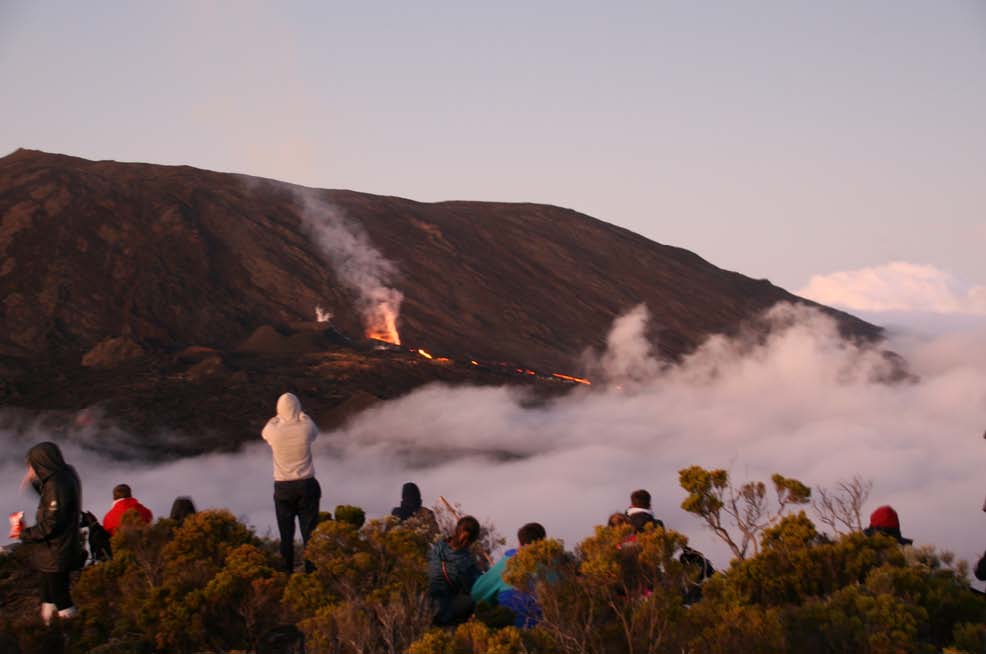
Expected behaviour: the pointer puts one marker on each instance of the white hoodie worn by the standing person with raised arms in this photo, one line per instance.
(290, 435)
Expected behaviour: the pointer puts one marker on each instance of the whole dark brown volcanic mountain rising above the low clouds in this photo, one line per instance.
(178, 300)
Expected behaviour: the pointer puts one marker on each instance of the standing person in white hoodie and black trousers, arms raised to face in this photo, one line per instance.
(296, 491)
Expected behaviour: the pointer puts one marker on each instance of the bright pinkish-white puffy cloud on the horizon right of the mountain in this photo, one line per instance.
(897, 286)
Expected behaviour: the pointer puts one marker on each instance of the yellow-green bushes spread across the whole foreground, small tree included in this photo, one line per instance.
(211, 585)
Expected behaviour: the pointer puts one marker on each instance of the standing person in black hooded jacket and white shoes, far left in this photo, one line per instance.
(55, 541)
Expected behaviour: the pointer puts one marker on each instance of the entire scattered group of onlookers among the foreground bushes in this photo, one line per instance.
(455, 581)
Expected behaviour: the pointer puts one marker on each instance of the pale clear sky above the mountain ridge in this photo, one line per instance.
(780, 139)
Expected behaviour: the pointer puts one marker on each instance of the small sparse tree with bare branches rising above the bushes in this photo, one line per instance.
(746, 509)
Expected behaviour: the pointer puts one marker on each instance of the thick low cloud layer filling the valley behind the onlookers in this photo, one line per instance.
(801, 403)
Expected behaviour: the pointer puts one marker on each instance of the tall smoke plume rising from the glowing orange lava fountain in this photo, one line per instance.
(357, 264)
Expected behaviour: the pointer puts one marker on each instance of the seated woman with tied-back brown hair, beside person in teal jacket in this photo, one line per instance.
(452, 571)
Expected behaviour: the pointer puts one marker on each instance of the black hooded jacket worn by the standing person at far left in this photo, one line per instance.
(55, 539)
